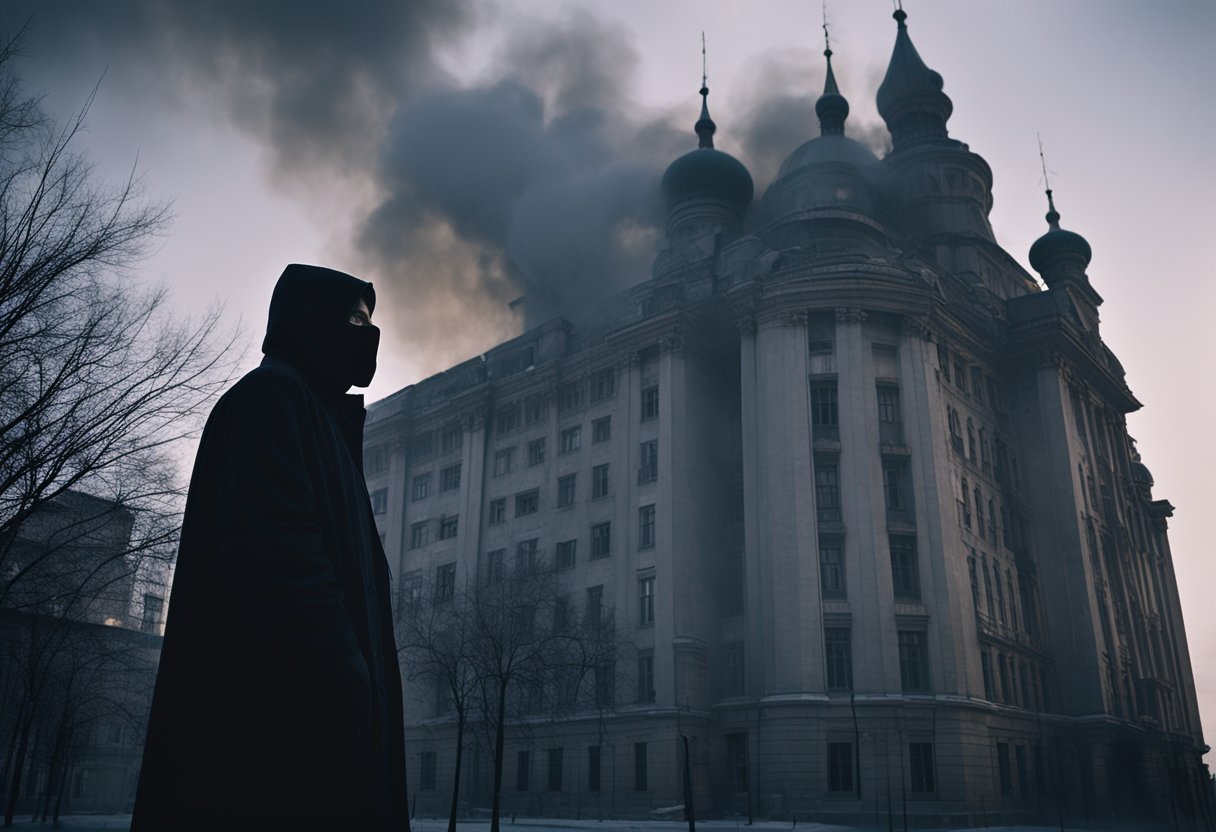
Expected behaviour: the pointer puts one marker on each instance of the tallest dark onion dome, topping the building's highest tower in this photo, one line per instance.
(910, 99)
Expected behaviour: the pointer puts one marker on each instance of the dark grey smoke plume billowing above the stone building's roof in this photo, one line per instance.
(539, 182)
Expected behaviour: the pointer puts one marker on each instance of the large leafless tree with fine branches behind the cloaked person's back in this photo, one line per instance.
(99, 386)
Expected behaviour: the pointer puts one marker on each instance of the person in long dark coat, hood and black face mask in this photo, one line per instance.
(279, 698)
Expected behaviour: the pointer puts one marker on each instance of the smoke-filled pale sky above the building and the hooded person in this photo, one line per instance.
(1117, 89)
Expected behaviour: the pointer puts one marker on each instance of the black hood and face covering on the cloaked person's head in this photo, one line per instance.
(309, 325)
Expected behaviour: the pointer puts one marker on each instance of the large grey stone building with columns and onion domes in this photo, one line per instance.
(857, 488)
